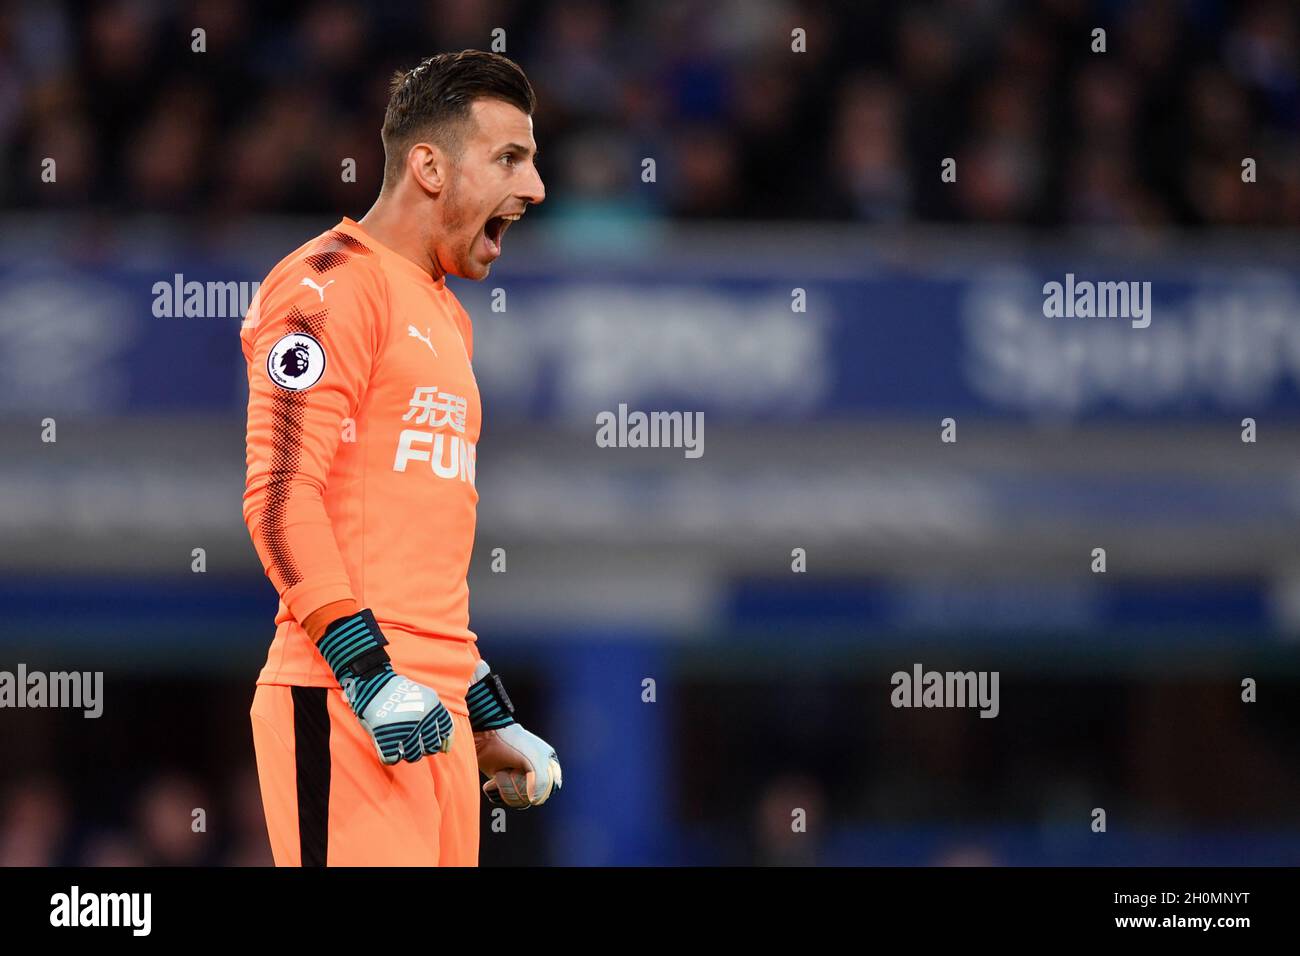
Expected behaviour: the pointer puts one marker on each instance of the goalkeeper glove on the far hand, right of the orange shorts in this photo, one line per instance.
(522, 768)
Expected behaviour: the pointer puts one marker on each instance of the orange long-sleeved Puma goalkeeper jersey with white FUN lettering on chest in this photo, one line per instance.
(363, 423)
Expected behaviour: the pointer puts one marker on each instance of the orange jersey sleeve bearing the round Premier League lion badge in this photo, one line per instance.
(310, 354)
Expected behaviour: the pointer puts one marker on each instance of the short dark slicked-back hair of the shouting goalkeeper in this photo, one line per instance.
(434, 101)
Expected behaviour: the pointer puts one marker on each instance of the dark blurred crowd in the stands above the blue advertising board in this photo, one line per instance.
(1045, 131)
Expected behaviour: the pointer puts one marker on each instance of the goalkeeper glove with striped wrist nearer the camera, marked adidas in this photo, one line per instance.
(404, 719)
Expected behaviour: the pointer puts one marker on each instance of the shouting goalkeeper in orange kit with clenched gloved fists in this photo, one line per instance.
(375, 716)
